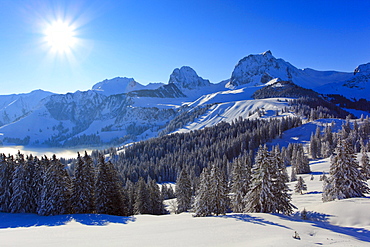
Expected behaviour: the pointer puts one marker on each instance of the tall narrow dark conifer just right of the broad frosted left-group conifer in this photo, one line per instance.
(83, 201)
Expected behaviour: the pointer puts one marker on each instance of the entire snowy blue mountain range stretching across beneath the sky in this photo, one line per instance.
(121, 110)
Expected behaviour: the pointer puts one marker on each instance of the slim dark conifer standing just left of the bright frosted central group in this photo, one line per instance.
(183, 192)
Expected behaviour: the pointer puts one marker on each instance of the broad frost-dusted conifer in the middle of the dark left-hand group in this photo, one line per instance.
(55, 195)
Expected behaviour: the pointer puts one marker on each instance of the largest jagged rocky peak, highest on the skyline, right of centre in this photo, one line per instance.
(261, 68)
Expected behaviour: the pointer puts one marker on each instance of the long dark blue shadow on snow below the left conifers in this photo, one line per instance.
(8, 220)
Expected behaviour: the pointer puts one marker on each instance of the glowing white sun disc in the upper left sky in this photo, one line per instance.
(60, 36)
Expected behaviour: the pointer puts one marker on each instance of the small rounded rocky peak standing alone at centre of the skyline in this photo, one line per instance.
(187, 78)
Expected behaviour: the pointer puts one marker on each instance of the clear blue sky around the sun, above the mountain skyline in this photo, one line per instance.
(146, 40)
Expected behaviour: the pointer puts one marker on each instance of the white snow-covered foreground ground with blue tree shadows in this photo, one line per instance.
(338, 223)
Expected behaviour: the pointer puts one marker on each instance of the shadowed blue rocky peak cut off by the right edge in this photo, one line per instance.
(361, 78)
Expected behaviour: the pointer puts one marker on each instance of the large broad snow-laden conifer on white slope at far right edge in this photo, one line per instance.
(345, 179)
